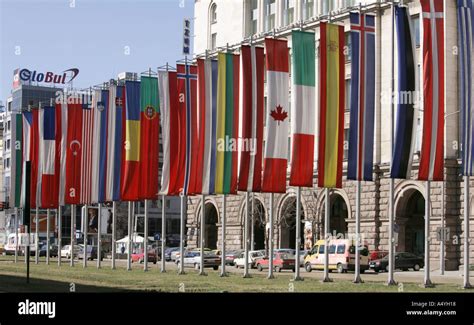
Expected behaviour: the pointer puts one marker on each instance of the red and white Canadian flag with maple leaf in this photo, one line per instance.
(276, 147)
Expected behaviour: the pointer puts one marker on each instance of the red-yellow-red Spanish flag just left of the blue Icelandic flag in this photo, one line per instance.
(331, 114)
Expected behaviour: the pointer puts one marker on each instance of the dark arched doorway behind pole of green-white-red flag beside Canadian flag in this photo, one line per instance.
(287, 224)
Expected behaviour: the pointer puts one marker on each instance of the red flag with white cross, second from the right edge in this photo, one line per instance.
(432, 149)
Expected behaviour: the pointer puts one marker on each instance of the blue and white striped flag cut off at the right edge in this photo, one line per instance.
(466, 85)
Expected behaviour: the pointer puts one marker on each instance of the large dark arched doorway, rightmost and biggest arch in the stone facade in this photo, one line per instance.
(410, 220)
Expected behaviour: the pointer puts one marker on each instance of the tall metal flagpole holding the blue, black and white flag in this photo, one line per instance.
(391, 251)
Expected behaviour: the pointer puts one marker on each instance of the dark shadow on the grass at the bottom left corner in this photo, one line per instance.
(17, 284)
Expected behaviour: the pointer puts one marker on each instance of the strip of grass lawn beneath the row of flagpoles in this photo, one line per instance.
(51, 278)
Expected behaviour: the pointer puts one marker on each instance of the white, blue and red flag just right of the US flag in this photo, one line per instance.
(98, 148)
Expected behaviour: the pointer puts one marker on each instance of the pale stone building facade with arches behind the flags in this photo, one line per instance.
(223, 25)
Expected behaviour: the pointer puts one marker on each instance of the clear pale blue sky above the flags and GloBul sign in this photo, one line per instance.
(99, 37)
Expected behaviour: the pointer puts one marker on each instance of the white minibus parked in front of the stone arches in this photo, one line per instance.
(341, 256)
